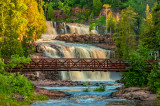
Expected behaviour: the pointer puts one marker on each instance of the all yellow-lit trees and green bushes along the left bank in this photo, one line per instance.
(21, 22)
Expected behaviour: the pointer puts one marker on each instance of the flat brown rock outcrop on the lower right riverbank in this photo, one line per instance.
(135, 93)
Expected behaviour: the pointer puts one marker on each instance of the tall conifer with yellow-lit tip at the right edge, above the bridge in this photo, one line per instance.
(151, 31)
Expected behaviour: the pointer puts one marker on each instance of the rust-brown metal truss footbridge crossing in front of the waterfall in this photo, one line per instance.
(75, 64)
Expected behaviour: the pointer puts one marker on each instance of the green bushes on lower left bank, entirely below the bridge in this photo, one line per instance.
(14, 83)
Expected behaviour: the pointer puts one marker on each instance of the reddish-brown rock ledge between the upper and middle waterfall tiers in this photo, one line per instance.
(95, 39)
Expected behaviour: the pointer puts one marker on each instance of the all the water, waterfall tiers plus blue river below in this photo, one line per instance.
(59, 49)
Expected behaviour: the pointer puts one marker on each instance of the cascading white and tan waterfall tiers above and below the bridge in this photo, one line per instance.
(60, 49)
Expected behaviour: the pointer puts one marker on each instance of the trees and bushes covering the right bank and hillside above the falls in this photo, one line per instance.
(134, 25)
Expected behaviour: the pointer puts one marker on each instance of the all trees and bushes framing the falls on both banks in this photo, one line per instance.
(134, 24)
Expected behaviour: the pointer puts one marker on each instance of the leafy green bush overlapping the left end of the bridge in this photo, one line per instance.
(17, 62)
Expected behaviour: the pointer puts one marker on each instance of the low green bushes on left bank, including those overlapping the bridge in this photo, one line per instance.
(15, 89)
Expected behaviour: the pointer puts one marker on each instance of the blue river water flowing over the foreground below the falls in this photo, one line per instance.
(91, 98)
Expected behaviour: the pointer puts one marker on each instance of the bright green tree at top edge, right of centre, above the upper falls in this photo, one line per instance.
(97, 5)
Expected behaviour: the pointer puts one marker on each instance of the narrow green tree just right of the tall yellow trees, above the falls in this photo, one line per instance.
(50, 12)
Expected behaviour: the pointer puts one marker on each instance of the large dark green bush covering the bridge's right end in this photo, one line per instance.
(137, 75)
